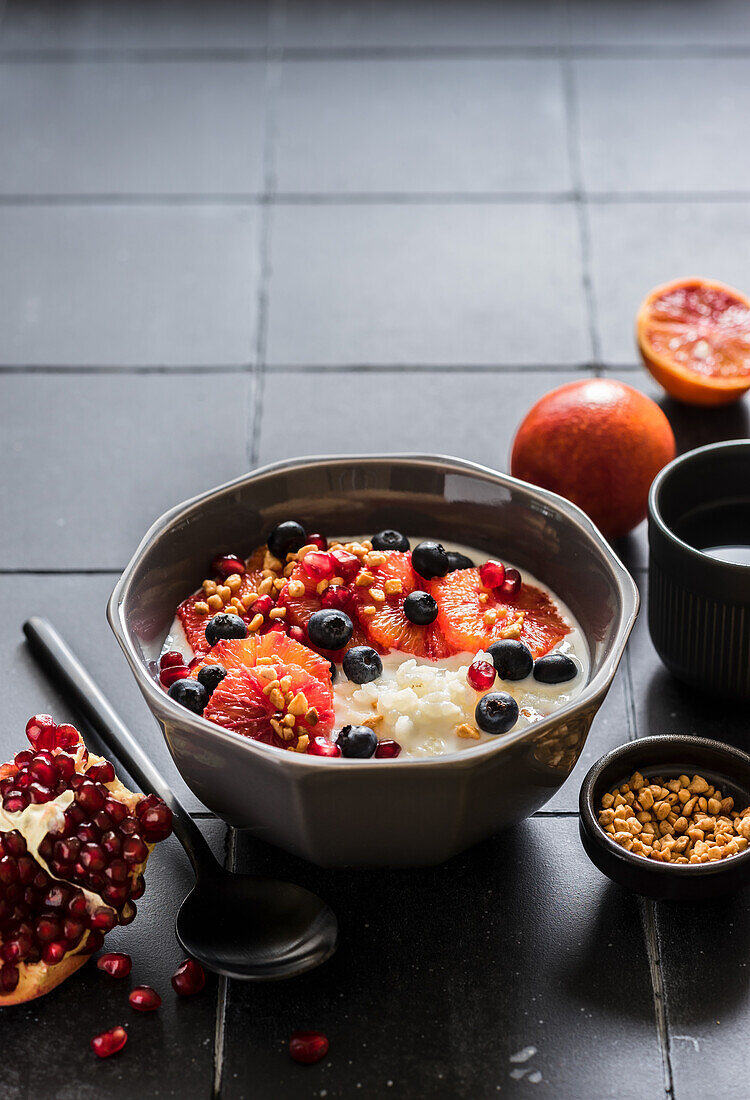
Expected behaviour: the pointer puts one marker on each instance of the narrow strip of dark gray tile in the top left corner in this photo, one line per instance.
(139, 25)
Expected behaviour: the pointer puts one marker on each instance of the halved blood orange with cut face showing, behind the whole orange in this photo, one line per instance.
(694, 336)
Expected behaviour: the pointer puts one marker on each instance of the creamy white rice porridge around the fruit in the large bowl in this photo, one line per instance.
(422, 703)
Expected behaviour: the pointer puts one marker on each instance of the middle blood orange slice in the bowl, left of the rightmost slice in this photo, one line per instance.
(389, 628)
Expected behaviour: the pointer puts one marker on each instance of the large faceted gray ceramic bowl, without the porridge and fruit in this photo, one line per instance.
(378, 812)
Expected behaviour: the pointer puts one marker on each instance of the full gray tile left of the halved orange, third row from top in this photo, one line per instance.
(451, 285)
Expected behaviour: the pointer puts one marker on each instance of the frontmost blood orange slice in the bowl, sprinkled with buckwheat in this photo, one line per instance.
(244, 703)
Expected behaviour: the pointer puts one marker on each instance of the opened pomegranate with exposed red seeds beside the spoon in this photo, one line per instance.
(74, 844)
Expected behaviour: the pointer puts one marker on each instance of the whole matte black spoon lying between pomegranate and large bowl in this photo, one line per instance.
(239, 926)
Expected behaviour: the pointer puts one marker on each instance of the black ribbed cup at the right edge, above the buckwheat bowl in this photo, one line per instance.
(699, 607)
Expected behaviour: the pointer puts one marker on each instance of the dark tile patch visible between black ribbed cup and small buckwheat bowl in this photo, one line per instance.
(666, 706)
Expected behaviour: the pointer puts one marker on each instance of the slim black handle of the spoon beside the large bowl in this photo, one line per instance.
(78, 686)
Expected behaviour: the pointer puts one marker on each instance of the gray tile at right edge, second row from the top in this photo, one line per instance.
(625, 142)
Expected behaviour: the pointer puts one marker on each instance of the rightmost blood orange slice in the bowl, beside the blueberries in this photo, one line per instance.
(471, 623)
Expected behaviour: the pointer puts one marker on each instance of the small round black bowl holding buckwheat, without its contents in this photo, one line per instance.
(668, 755)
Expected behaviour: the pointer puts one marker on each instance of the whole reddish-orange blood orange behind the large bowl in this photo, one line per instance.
(600, 444)
